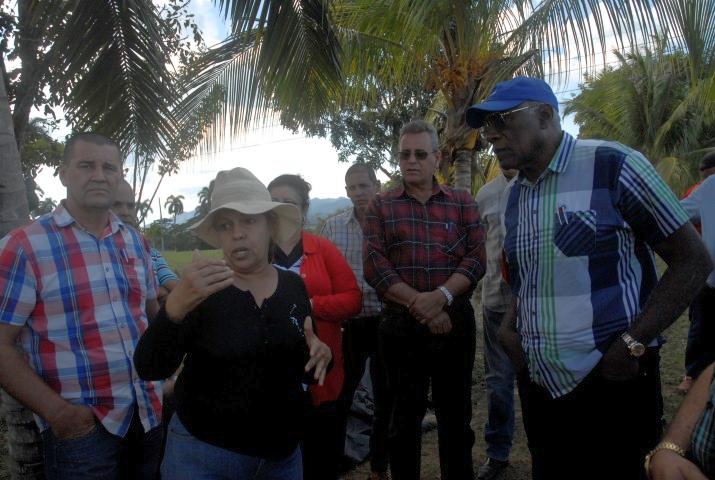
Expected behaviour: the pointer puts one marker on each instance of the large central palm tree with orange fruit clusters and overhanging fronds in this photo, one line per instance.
(307, 57)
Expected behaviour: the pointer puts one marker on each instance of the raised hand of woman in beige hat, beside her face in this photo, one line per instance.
(200, 279)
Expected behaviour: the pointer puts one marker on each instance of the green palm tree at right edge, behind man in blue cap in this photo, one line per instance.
(654, 100)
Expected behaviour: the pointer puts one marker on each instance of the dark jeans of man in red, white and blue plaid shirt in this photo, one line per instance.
(100, 455)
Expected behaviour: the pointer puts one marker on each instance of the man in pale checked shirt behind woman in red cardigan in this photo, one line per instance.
(360, 332)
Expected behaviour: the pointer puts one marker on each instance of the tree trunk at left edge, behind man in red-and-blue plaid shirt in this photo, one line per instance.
(22, 437)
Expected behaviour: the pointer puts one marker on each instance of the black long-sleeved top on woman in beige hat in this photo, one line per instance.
(240, 388)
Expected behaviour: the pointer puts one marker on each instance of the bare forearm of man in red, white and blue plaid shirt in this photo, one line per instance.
(20, 381)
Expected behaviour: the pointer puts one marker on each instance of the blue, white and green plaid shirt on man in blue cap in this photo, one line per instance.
(578, 244)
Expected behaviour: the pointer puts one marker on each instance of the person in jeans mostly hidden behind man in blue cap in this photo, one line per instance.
(499, 372)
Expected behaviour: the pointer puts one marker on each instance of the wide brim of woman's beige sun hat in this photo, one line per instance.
(289, 219)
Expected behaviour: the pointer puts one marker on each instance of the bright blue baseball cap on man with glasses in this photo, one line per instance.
(510, 93)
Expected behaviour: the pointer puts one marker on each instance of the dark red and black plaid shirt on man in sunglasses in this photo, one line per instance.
(422, 244)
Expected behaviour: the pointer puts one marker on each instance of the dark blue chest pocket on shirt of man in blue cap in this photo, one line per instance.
(575, 232)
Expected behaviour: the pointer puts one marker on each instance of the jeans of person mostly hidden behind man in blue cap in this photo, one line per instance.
(499, 377)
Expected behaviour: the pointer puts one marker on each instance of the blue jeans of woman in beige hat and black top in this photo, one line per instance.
(187, 457)
